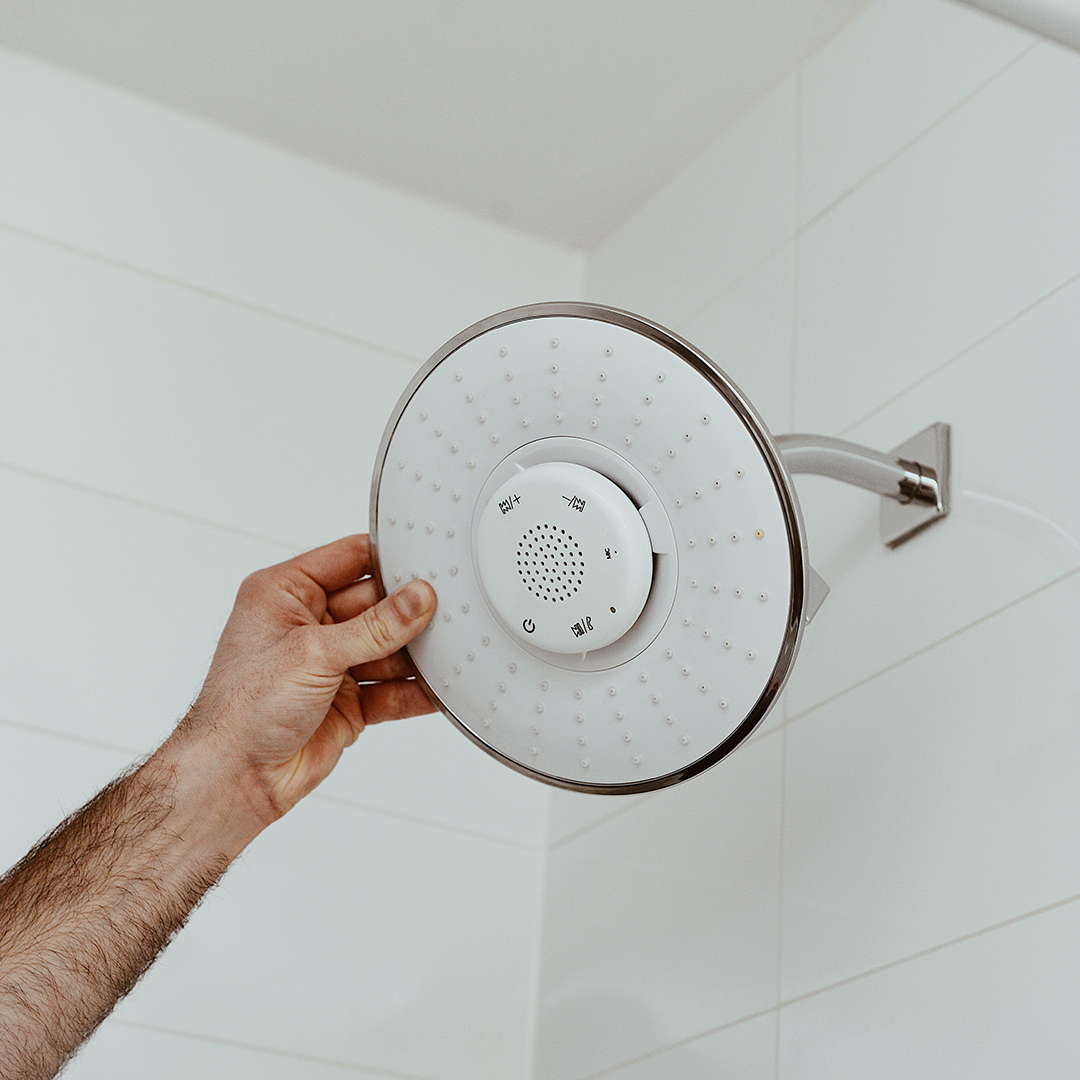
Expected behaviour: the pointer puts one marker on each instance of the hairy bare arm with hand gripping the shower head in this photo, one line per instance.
(306, 661)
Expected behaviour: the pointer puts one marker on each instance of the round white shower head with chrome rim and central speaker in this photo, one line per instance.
(615, 544)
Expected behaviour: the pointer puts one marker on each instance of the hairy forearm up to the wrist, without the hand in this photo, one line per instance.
(86, 913)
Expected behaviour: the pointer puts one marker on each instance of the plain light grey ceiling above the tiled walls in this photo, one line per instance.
(556, 118)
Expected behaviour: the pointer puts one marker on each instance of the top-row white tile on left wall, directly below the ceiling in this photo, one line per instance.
(105, 171)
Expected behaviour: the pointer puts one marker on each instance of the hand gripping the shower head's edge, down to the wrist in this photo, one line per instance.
(308, 659)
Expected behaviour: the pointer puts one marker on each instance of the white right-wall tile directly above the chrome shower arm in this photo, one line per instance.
(976, 222)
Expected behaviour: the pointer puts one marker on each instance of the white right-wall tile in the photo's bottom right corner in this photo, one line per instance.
(996, 1007)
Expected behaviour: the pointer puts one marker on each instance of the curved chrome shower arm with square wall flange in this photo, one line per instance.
(913, 479)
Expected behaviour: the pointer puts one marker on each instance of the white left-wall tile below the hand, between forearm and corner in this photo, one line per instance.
(361, 939)
